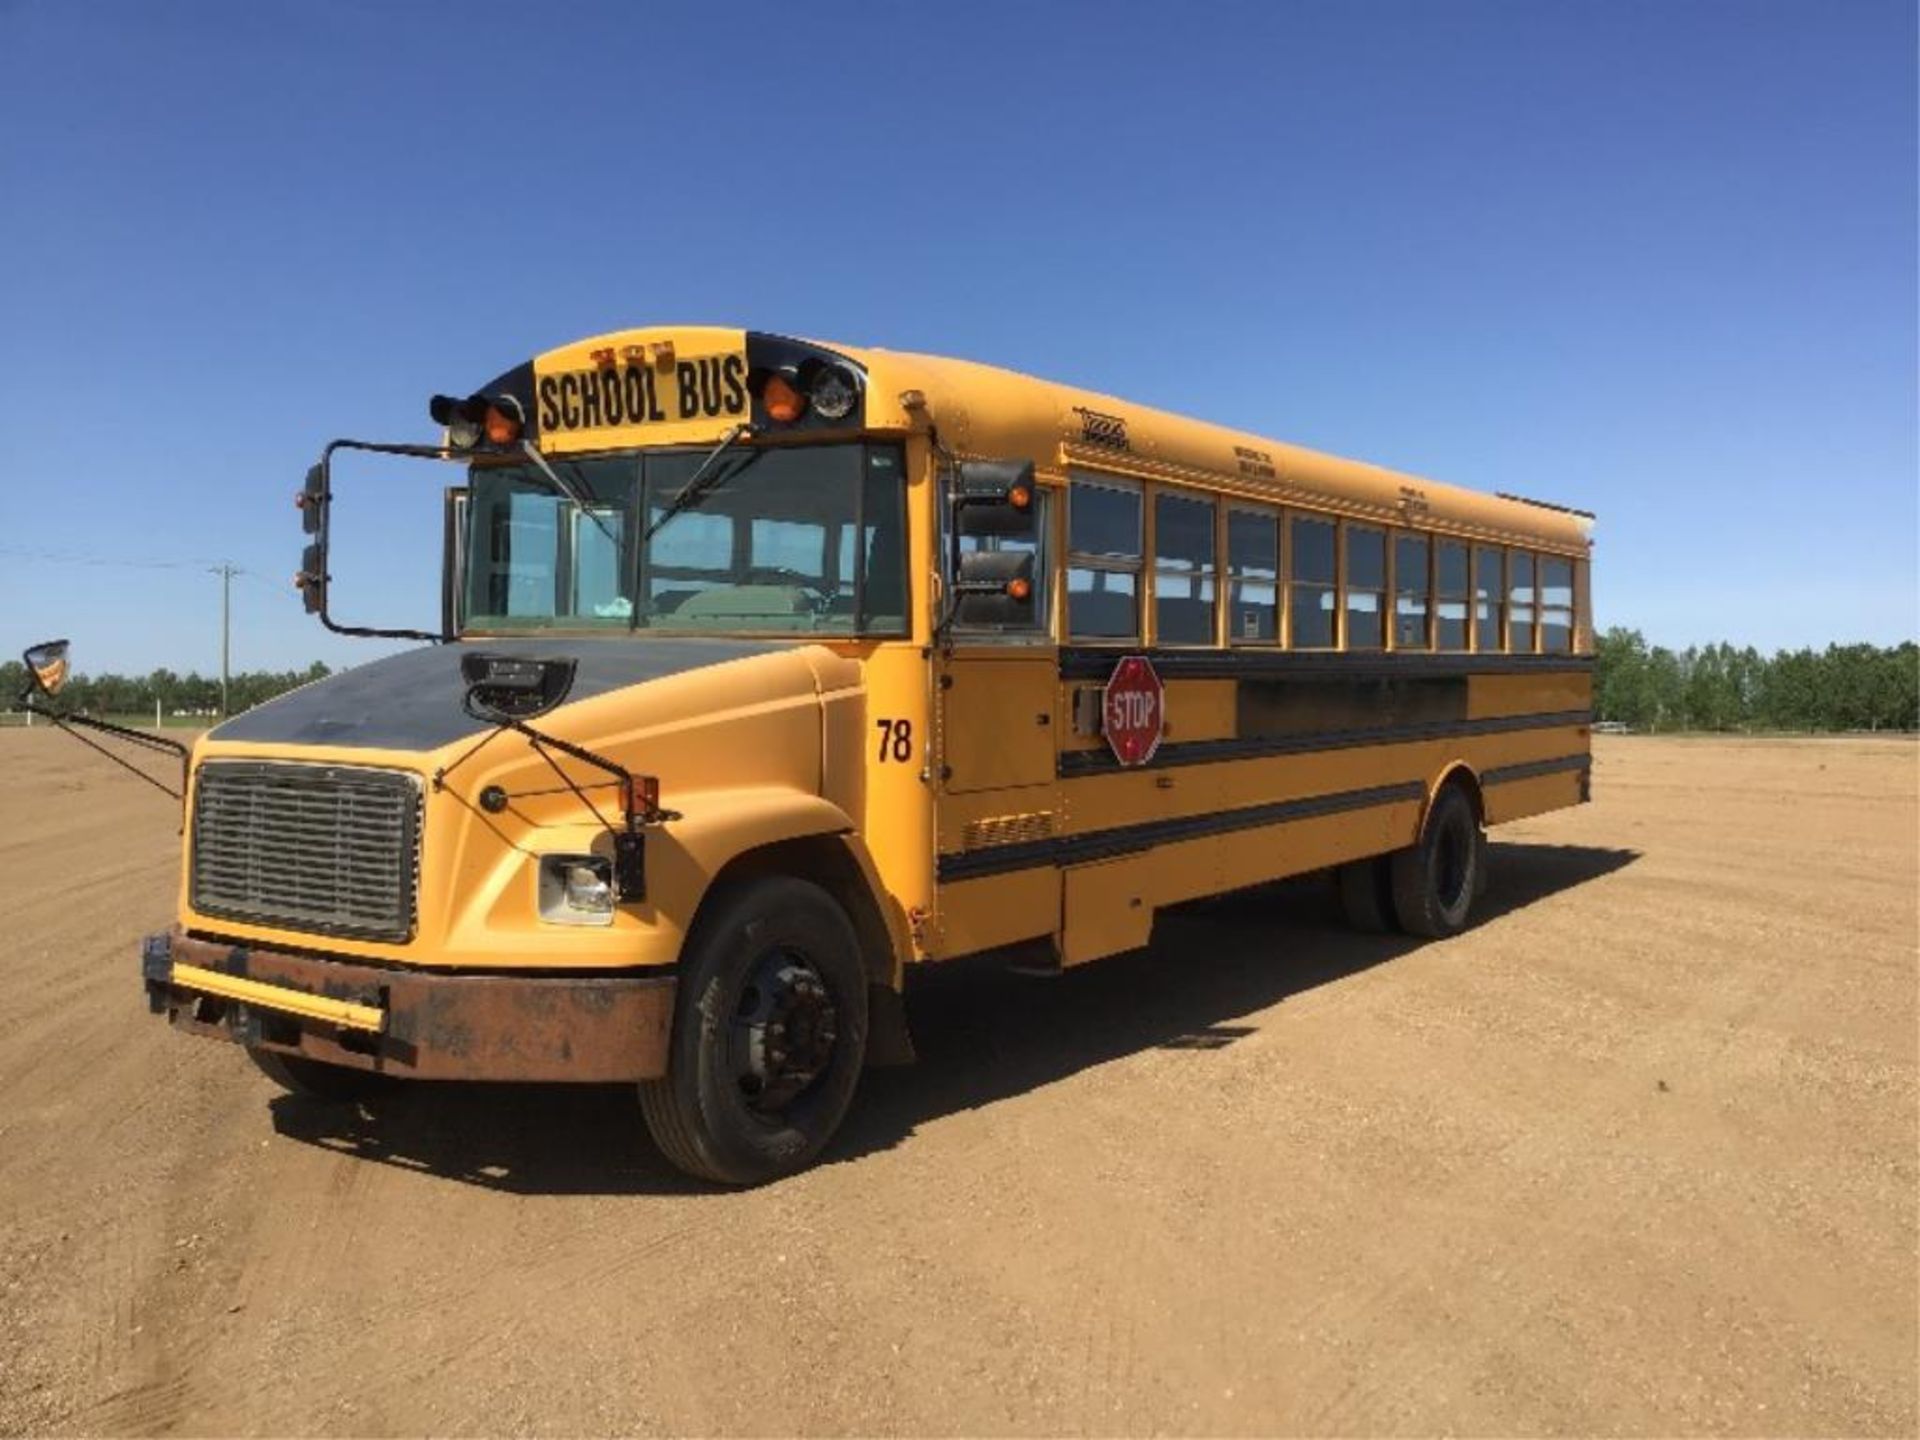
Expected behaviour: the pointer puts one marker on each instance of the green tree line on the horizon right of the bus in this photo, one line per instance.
(1725, 688)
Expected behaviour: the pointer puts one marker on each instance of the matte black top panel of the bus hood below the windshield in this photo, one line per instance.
(412, 702)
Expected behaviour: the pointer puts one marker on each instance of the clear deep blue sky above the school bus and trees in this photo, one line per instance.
(1654, 260)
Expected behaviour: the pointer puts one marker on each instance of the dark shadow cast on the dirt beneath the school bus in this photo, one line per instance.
(984, 1036)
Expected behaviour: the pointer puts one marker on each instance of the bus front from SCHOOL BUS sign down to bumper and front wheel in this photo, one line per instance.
(640, 779)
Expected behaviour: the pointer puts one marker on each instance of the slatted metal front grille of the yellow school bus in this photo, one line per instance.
(320, 848)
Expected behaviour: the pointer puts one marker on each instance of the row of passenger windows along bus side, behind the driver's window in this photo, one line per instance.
(1303, 581)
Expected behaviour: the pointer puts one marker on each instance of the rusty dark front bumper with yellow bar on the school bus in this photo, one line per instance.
(410, 1022)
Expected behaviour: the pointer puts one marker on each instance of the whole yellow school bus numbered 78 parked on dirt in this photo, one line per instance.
(775, 669)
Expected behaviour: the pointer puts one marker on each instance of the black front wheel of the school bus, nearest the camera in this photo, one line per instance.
(769, 1036)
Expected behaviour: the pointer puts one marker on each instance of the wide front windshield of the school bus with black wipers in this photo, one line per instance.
(782, 540)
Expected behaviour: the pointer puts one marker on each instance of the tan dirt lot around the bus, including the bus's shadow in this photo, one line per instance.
(1635, 1157)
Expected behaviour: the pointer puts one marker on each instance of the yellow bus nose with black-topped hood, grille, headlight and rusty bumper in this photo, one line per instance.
(437, 884)
